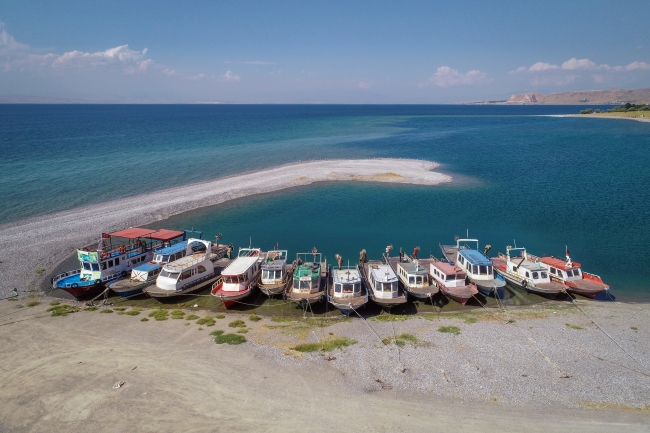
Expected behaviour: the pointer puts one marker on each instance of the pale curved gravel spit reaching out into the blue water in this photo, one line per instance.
(41, 243)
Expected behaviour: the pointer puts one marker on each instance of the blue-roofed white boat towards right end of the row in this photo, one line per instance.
(478, 266)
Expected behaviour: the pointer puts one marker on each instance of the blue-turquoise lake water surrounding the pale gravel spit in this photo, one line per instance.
(544, 182)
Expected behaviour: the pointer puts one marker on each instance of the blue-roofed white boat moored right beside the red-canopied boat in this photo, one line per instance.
(146, 274)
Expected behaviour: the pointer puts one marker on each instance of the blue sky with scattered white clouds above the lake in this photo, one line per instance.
(319, 52)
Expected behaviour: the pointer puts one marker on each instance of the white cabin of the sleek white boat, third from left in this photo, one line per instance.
(187, 271)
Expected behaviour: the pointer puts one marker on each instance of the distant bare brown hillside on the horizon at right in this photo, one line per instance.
(592, 97)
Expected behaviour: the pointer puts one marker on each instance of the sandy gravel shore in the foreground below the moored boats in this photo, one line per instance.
(548, 367)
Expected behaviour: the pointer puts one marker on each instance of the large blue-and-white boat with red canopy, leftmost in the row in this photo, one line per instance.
(116, 255)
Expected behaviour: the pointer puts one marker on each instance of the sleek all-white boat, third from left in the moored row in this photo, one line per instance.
(188, 274)
